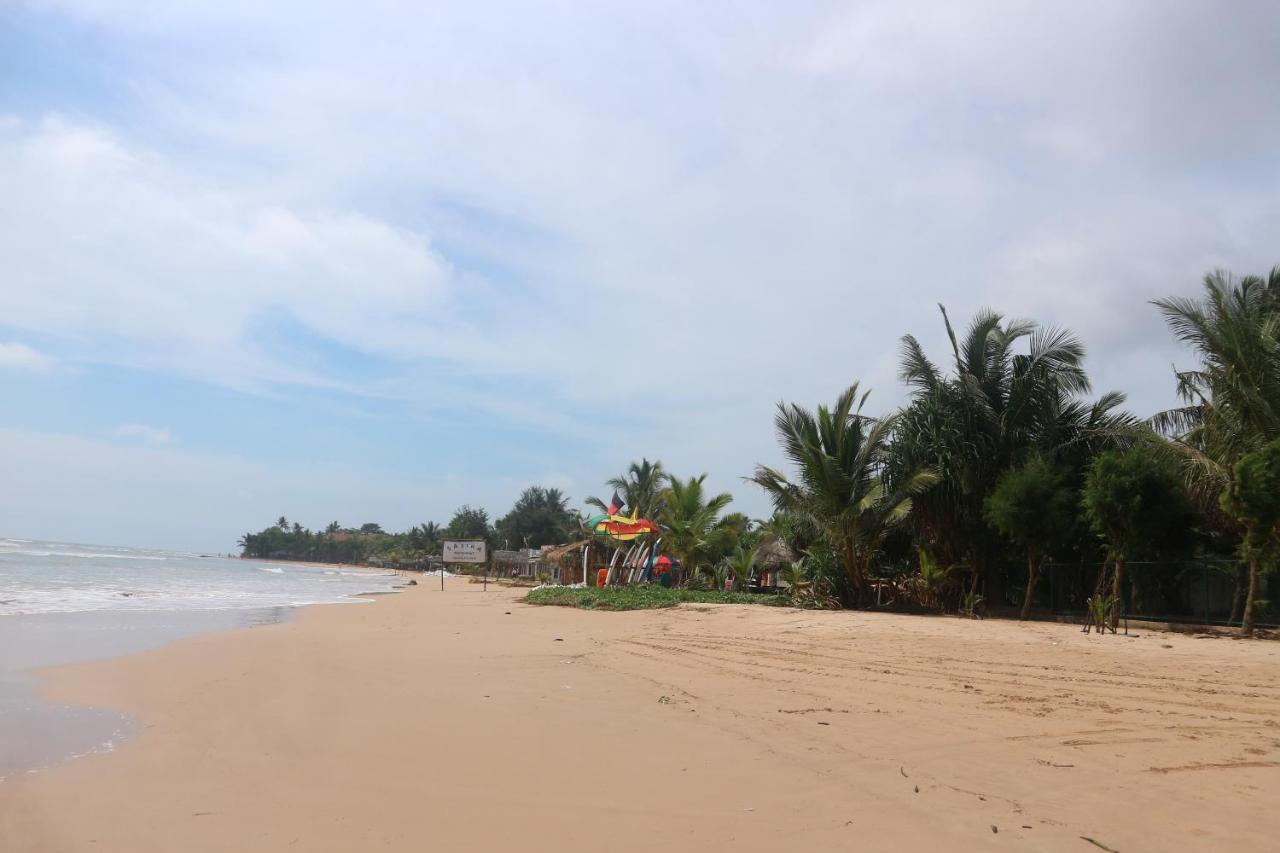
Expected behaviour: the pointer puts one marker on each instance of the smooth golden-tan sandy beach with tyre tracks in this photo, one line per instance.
(468, 720)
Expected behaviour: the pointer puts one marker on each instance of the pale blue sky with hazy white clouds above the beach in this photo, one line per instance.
(372, 262)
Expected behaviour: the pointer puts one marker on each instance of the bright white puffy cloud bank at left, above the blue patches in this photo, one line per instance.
(127, 248)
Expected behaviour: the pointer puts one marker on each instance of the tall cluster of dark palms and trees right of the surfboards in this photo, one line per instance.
(1005, 458)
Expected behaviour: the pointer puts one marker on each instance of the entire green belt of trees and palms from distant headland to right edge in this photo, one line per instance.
(1002, 467)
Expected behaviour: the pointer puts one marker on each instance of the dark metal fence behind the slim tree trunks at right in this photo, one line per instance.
(1208, 592)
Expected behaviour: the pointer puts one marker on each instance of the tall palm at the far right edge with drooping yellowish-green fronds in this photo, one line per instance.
(1233, 398)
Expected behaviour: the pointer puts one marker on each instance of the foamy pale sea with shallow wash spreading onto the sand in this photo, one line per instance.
(63, 604)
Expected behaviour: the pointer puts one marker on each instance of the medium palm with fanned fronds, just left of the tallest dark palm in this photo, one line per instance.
(840, 458)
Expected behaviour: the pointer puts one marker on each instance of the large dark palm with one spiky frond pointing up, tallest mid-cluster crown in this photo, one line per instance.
(999, 408)
